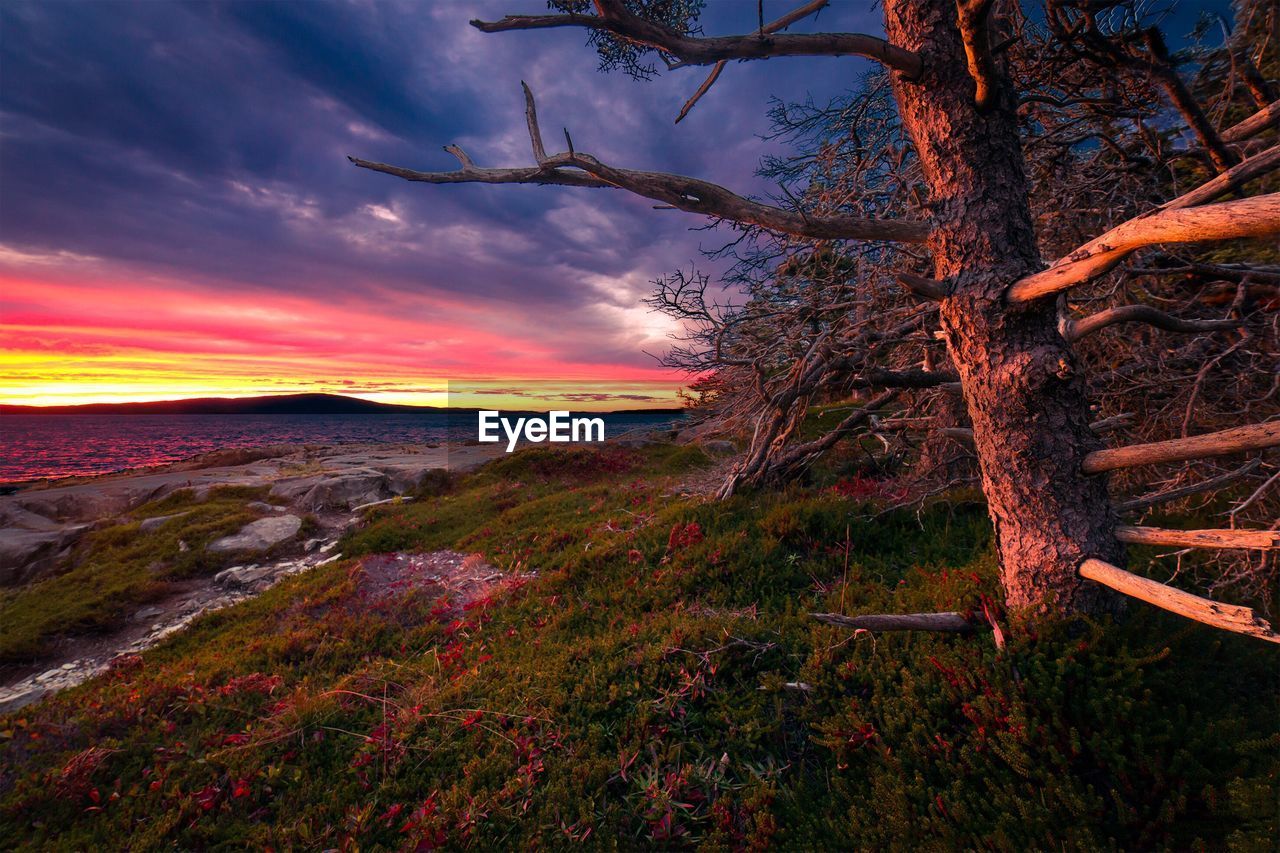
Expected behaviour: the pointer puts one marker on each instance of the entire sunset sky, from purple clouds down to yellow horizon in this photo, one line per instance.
(179, 217)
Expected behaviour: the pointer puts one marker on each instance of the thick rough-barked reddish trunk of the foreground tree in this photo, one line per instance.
(1022, 384)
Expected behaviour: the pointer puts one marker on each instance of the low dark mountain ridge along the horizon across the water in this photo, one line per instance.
(272, 405)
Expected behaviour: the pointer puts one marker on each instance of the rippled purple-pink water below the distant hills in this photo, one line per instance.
(38, 446)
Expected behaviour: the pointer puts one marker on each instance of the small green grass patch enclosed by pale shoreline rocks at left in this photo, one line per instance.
(116, 571)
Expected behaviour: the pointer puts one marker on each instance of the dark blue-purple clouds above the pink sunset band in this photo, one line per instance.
(207, 143)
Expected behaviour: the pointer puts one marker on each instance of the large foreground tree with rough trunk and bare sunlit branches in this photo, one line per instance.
(1041, 462)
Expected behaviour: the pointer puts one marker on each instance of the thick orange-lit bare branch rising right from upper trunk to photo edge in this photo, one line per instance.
(1256, 217)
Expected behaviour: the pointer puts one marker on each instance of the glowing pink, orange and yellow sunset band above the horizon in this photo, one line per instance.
(71, 339)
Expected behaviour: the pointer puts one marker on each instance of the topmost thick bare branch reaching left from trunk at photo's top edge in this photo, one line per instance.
(616, 20)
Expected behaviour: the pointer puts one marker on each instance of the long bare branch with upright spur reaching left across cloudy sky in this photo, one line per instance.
(578, 170)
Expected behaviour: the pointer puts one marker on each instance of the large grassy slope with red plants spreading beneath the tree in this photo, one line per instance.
(636, 694)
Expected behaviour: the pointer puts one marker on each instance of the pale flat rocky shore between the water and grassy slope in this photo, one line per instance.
(317, 490)
